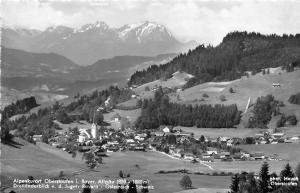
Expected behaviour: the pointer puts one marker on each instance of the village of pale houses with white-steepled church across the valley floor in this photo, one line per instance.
(174, 142)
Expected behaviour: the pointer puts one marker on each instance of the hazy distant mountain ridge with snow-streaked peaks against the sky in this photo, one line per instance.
(92, 42)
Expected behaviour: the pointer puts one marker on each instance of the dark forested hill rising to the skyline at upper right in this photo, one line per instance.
(237, 53)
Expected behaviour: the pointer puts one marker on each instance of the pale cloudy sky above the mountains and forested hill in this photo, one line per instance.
(206, 21)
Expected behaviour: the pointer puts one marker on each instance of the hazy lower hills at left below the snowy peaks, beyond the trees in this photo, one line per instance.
(49, 73)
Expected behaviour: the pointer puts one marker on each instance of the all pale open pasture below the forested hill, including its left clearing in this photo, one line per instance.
(236, 92)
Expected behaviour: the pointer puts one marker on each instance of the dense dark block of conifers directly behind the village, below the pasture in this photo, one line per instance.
(160, 111)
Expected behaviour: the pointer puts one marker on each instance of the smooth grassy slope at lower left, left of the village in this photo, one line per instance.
(23, 158)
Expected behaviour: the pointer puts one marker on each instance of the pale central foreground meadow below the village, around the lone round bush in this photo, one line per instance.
(149, 163)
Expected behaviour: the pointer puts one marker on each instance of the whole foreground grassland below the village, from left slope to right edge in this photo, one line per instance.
(140, 165)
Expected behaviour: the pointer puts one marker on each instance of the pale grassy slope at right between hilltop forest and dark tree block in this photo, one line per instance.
(244, 88)
